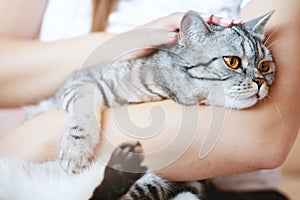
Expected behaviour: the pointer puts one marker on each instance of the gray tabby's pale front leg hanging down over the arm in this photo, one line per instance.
(81, 131)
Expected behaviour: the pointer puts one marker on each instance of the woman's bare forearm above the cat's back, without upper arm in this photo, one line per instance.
(32, 70)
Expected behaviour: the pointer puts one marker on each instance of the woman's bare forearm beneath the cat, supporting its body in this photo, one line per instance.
(180, 143)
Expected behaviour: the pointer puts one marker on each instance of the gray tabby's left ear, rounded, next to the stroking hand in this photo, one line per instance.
(193, 27)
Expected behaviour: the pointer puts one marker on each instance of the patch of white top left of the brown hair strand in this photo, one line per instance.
(66, 19)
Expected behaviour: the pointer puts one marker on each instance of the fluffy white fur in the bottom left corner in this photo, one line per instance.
(24, 181)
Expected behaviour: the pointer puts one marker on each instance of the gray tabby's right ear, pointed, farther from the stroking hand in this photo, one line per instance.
(257, 26)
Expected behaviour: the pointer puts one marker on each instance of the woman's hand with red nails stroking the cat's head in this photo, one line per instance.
(165, 31)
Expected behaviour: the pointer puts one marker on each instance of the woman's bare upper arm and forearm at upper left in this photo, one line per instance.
(27, 65)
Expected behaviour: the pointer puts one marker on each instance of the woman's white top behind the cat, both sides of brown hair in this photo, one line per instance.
(71, 18)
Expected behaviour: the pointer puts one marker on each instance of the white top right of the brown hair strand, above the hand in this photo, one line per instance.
(132, 13)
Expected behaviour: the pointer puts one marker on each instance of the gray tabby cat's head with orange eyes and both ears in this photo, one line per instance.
(234, 59)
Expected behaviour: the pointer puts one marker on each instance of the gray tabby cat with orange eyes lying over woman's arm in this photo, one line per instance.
(229, 67)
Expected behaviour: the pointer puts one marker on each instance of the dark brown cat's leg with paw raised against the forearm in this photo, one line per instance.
(123, 170)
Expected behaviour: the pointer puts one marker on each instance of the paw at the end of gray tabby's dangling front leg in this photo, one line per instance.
(74, 159)
